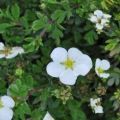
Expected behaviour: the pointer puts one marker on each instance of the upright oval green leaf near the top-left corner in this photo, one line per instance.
(15, 11)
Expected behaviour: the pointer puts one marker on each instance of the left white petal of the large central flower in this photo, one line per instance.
(55, 69)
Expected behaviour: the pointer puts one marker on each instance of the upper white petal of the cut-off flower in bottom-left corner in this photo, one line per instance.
(8, 101)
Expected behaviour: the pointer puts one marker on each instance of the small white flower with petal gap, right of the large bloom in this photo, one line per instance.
(101, 66)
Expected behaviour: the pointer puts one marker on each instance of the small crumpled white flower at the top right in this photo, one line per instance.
(100, 19)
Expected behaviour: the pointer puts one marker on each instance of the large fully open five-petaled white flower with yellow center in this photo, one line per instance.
(68, 65)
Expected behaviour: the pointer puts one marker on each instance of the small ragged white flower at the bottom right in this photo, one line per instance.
(96, 105)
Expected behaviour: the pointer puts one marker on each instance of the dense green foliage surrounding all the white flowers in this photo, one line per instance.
(41, 25)
